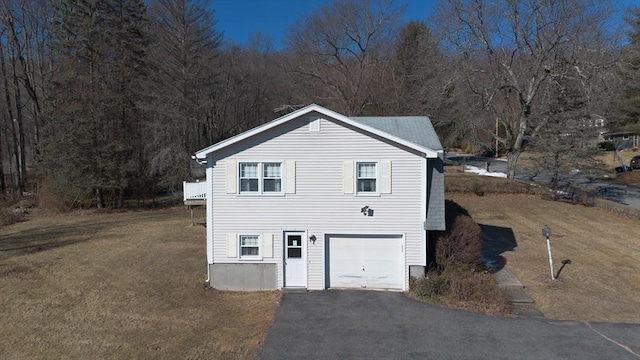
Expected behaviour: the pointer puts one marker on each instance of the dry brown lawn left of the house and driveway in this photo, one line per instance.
(125, 285)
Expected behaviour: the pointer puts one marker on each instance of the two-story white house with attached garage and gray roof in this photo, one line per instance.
(317, 200)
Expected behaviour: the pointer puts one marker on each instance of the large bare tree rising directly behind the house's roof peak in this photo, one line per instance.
(336, 49)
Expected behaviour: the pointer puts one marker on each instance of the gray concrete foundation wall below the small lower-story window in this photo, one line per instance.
(244, 277)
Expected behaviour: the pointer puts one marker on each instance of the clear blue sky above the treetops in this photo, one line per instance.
(240, 18)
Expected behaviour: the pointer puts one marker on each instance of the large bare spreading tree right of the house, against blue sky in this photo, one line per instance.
(513, 48)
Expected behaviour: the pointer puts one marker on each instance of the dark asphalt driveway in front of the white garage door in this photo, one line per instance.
(338, 324)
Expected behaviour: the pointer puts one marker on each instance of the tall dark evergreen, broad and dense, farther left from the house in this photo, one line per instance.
(99, 50)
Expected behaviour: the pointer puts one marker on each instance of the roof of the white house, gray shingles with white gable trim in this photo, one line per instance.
(399, 130)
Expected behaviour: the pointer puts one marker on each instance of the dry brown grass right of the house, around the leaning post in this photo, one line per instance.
(603, 281)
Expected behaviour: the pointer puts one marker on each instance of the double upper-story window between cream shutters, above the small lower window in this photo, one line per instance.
(259, 178)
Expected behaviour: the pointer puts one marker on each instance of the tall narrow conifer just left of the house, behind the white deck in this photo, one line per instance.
(182, 60)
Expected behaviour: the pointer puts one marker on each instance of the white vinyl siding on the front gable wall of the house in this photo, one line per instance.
(317, 202)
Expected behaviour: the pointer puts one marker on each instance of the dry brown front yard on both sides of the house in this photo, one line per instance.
(129, 285)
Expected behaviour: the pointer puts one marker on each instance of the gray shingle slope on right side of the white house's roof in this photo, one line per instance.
(415, 129)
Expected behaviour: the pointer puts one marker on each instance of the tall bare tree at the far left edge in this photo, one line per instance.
(25, 36)
